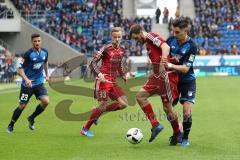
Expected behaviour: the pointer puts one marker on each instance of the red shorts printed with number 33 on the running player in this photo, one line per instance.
(106, 90)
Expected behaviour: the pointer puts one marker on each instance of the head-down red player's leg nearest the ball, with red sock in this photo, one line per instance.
(142, 99)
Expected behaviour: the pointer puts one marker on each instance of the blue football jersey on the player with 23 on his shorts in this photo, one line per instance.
(33, 65)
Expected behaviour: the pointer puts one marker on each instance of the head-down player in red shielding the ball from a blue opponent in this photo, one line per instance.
(158, 82)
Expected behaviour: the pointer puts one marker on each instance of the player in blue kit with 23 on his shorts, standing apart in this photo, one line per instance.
(35, 60)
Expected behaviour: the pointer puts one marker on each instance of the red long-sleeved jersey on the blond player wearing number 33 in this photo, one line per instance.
(112, 60)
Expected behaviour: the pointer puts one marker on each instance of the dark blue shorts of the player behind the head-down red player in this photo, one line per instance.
(187, 91)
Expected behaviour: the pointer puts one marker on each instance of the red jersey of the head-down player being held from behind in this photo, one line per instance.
(153, 43)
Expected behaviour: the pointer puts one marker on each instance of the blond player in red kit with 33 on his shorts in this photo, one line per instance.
(112, 56)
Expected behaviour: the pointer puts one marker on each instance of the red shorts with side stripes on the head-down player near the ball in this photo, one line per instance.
(165, 86)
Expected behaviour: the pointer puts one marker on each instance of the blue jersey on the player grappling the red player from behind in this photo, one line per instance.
(186, 53)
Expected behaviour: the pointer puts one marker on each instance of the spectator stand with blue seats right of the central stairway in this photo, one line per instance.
(216, 28)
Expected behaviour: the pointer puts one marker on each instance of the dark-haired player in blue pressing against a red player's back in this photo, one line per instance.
(183, 51)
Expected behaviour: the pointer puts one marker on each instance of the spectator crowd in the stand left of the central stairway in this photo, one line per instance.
(84, 25)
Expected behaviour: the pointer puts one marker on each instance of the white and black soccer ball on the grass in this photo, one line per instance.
(134, 135)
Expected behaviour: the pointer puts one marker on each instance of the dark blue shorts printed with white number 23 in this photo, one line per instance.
(26, 93)
